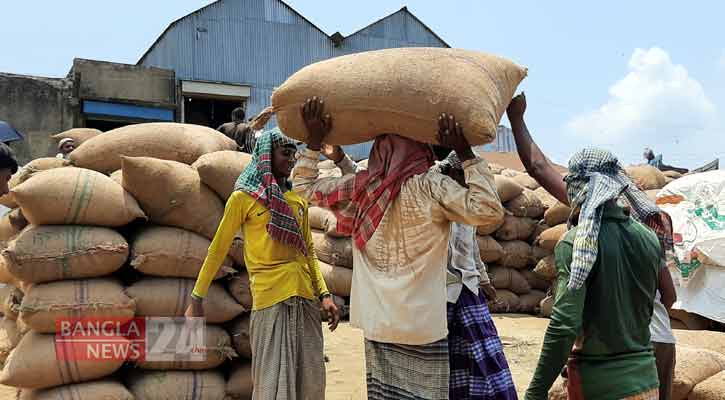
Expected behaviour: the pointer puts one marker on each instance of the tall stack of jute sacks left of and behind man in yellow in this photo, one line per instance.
(121, 231)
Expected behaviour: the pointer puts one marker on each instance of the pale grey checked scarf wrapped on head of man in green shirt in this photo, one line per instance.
(595, 177)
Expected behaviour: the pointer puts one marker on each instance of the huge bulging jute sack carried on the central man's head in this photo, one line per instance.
(473, 86)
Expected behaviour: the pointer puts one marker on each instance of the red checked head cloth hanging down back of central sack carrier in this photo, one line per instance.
(393, 160)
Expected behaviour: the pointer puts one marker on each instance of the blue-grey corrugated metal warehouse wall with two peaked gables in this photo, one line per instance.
(261, 43)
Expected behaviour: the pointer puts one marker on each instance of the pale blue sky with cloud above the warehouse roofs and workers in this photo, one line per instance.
(620, 75)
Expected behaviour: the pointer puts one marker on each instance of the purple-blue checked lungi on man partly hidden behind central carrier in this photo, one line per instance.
(478, 367)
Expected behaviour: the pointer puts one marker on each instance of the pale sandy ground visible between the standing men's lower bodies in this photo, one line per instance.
(521, 336)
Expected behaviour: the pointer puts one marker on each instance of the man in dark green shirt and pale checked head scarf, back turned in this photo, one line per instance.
(607, 278)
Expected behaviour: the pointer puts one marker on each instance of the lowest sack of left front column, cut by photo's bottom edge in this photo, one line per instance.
(105, 389)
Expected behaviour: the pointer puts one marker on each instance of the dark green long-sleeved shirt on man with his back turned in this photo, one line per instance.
(608, 317)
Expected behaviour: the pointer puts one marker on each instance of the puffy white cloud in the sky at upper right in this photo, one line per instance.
(656, 104)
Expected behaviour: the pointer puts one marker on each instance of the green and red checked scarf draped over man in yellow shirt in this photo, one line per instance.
(258, 181)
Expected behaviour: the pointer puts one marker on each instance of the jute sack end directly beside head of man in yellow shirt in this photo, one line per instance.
(220, 170)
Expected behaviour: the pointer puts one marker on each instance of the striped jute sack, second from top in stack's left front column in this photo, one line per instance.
(50, 253)
